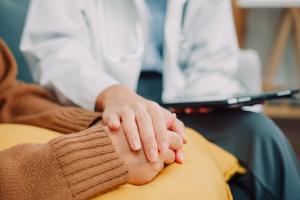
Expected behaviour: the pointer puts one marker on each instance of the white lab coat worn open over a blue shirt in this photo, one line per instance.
(63, 41)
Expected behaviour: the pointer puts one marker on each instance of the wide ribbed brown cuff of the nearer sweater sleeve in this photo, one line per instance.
(89, 162)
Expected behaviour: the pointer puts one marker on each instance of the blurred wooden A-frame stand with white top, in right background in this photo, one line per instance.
(290, 22)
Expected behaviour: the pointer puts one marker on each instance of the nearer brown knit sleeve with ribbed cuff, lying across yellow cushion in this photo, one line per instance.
(74, 166)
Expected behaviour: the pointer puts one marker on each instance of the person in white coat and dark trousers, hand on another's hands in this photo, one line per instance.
(98, 53)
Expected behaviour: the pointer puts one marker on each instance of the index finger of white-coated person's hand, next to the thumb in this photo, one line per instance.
(130, 129)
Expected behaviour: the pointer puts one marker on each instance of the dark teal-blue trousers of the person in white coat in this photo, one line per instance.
(273, 170)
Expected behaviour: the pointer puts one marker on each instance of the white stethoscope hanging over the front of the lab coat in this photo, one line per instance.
(138, 53)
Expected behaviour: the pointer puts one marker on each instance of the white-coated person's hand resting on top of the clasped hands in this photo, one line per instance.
(144, 122)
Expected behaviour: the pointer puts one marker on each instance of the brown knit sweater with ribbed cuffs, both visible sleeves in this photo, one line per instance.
(75, 166)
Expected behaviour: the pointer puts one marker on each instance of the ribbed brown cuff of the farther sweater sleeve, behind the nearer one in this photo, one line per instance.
(71, 119)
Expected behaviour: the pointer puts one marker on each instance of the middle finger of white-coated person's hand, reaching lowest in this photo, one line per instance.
(146, 132)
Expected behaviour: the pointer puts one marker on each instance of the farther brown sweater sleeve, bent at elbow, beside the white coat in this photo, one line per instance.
(33, 105)
